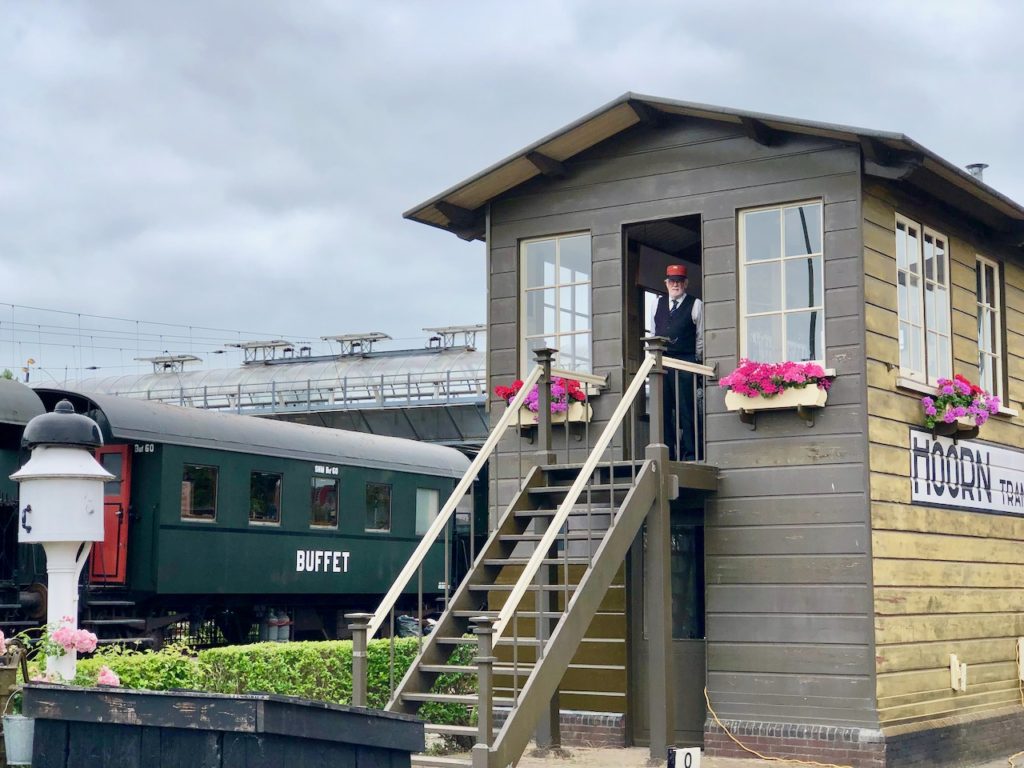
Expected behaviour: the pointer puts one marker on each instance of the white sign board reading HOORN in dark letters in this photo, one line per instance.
(966, 475)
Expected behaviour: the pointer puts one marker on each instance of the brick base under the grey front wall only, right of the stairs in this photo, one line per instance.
(861, 748)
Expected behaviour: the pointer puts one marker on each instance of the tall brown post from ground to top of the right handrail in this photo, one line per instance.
(658, 575)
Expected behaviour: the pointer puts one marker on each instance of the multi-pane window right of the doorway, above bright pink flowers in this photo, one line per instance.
(783, 286)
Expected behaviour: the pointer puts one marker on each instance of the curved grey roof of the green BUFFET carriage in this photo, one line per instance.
(130, 419)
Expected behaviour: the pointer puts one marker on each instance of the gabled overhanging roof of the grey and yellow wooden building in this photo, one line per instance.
(893, 156)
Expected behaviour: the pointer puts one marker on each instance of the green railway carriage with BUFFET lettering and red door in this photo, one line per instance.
(237, 520)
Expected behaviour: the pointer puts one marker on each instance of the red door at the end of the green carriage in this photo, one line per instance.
(108, 564)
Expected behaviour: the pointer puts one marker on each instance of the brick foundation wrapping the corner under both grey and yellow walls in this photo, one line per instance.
(954, 742)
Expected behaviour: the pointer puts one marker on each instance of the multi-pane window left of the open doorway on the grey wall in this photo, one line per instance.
(557, 313)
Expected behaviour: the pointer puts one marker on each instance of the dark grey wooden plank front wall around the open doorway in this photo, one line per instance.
(788, 568)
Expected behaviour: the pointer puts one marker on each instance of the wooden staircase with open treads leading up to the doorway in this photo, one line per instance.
(563, 602)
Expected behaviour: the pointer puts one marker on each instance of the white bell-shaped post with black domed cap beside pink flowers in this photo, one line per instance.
(61, 506)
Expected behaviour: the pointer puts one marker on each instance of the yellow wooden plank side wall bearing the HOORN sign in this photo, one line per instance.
(946, 581)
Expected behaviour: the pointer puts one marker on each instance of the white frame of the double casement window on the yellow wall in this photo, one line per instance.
(945, 366)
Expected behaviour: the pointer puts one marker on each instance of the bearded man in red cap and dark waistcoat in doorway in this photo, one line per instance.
(679, 318)
